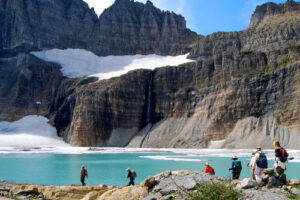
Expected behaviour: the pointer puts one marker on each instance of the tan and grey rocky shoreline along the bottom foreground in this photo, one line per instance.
(167, 185)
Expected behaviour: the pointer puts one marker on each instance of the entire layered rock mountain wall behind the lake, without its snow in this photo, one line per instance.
(242, 86)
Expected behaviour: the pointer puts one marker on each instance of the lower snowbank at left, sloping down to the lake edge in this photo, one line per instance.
(30, 131)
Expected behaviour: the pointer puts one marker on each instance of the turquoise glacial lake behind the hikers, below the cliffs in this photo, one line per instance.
(110, 168)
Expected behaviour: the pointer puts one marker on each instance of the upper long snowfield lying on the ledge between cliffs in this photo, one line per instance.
(78, 62)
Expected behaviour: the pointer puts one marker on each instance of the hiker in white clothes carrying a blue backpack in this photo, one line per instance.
(260, 163)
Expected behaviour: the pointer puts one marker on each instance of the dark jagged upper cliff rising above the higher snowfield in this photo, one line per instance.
(127, 27)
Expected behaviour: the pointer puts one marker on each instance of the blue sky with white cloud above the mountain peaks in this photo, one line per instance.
(204, 16)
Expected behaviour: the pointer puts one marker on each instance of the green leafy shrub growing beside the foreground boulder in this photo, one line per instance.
(212, 191)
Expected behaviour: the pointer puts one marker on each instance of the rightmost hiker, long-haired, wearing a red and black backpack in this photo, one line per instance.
(281, 157)
